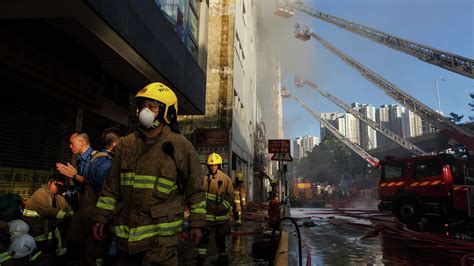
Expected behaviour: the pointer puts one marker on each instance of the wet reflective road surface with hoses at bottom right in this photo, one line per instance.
(334, 242)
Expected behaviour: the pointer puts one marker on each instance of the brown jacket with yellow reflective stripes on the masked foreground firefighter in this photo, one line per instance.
(143, 196)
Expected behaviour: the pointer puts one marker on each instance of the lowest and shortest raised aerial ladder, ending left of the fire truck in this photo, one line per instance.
(354, 147)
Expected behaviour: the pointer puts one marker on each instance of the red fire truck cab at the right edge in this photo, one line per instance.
(431, 186)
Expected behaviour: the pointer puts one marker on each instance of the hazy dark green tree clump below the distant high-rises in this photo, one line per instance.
(329, 161)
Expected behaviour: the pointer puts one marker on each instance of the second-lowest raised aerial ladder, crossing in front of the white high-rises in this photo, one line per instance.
(300, 82)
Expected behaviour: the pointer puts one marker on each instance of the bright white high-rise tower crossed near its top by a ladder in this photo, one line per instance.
(368, 135)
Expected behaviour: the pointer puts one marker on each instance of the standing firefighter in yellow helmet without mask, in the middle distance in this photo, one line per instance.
(219, 194)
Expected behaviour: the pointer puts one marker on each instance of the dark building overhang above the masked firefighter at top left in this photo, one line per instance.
(132, 40)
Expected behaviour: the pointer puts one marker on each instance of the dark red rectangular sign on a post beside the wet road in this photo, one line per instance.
(281, 152)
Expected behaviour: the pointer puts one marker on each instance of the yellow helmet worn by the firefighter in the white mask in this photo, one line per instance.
(165, 96)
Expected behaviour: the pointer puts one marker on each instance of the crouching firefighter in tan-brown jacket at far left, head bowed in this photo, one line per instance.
(44, 211)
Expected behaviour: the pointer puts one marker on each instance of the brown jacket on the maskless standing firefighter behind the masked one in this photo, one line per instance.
(219, 194)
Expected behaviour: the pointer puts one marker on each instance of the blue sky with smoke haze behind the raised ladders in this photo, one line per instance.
(442, 24)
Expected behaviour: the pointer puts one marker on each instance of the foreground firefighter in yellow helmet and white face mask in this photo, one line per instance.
(155, 172)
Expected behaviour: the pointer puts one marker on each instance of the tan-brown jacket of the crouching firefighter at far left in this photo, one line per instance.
(43, 211)
